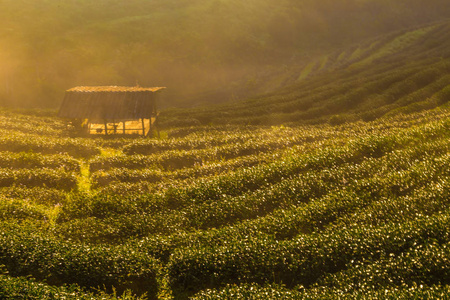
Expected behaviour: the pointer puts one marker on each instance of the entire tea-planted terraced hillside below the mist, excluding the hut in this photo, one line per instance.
(345, 196)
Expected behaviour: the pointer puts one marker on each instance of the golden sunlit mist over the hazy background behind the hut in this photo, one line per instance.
(202, 50)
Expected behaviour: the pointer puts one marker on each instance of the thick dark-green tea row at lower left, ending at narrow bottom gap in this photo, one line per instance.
(24, 252)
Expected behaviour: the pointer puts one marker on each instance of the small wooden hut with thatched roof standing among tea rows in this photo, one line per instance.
(111, 109)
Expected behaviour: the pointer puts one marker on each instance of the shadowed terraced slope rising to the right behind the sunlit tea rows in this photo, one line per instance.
(402, 72)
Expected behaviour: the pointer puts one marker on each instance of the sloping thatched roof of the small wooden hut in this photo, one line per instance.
(109, 102)
